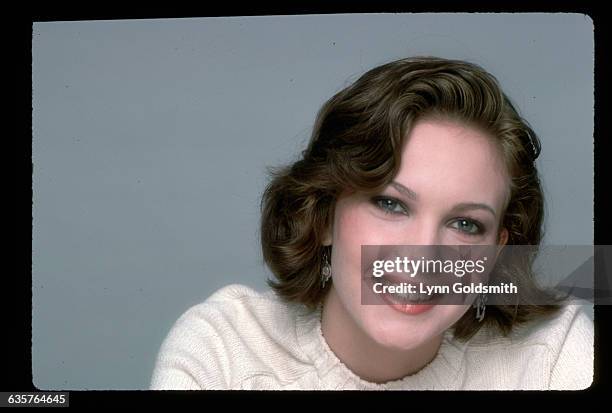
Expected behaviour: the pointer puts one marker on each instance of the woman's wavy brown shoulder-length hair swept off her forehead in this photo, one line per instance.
(356, 146)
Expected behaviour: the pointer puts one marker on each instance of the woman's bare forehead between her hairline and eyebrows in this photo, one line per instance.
(453, 161)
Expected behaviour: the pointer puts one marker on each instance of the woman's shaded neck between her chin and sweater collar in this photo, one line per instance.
(350, 343)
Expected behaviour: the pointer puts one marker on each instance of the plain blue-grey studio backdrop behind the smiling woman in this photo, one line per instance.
(151, 140)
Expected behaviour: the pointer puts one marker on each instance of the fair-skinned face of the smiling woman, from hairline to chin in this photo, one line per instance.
(444, 165)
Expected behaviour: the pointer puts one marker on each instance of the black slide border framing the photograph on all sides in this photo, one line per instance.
(18, 300)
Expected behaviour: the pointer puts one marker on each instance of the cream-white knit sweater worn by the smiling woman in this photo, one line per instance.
(242, 339)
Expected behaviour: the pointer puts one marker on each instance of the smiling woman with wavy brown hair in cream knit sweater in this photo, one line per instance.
(420, 151)
